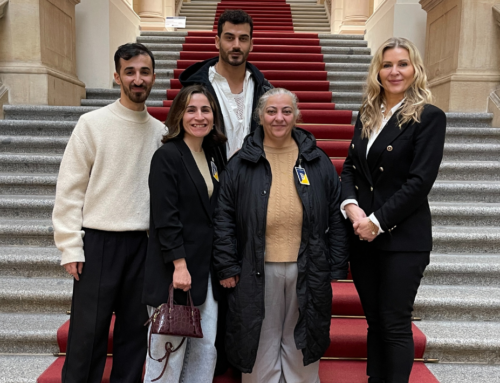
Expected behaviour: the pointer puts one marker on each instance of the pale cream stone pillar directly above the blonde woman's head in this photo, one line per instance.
(400, 18)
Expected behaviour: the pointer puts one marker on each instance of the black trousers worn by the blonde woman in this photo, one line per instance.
(387, 283)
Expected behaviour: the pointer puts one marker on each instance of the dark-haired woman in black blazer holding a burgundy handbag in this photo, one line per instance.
(184, 186)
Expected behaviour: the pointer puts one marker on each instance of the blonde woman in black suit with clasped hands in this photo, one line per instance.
(392, 164)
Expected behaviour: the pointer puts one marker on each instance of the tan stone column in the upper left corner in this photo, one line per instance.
(37, 52)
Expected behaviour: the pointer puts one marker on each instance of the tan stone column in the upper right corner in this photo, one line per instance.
(462, 53)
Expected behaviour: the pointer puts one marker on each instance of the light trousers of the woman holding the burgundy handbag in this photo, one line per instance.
(195, 361)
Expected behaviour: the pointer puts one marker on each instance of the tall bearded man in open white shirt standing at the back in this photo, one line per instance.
(236, 84)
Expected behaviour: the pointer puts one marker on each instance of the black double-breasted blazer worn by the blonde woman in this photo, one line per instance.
(395, 179)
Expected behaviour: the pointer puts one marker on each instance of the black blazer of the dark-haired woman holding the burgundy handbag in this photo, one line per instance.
(181, 223)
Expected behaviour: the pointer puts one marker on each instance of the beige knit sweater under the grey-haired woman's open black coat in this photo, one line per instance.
(284, 211)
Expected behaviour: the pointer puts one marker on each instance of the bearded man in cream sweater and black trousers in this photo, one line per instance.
(100, 219)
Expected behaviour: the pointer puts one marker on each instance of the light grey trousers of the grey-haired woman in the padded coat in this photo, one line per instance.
(278, 360)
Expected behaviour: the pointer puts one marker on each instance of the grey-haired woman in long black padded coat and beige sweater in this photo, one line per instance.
(279, 242)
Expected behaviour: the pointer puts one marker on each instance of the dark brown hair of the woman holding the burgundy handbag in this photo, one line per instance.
(176, 113)
